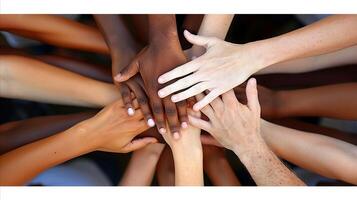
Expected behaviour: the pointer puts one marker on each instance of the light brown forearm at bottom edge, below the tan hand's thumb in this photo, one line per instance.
(142, 165)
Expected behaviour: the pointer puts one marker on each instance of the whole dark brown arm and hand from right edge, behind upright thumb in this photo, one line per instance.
(332, 101)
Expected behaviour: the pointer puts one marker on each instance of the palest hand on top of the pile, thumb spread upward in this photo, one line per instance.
(223, 67)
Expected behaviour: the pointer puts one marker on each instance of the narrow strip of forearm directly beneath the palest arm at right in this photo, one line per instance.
(338, 58)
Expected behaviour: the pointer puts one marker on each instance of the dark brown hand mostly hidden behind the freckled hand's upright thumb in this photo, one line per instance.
(269, 100)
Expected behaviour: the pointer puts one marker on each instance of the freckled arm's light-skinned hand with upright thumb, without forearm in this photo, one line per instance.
(233, 124)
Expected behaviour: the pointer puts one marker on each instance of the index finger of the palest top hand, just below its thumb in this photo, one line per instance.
(179, 71)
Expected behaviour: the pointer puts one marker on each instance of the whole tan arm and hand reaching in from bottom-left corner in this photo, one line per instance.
(100, 132)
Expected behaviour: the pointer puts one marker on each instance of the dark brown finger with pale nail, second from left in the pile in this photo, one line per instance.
(143, 103)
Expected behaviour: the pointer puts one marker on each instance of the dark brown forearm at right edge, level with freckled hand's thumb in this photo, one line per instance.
(334, 101)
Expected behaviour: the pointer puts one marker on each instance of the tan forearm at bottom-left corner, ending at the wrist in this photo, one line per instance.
(22, 164)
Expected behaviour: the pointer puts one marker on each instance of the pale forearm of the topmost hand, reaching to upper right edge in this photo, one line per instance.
(322, 37)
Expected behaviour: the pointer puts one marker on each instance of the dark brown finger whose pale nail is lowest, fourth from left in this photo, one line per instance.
(172, 117)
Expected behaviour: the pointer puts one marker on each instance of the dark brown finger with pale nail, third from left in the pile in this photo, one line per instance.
(158, 112)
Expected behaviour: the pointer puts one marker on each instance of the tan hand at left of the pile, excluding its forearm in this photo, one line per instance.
(113, 130)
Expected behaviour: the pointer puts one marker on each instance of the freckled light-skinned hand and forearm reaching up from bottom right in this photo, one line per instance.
(237, 127)
